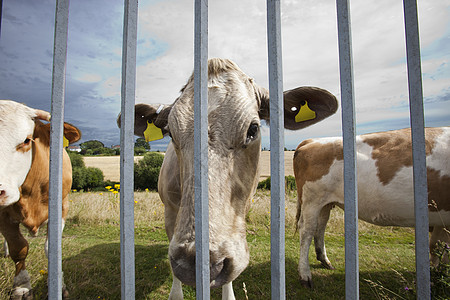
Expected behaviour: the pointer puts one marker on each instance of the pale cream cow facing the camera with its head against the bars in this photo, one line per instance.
(236, 106)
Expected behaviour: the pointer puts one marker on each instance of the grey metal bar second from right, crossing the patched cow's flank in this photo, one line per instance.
(348, 128)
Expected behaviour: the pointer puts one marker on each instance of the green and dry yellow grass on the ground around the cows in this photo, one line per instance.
(91, 255)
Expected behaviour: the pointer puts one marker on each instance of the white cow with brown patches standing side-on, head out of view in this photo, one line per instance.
(385, 186)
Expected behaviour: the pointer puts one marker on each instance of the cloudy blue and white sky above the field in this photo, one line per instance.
(237, 30)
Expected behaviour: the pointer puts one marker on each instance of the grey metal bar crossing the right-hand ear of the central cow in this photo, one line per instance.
(277, 198)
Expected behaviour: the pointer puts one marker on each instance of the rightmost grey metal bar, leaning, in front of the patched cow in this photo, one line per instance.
(418, 148)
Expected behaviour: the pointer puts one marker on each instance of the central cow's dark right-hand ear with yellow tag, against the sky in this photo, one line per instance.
(303, 106)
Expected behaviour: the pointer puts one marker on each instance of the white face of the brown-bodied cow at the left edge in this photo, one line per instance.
(16, 136)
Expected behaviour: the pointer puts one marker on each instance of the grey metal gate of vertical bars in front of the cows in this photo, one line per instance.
(276, 145)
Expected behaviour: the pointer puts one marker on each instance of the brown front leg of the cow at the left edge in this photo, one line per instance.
(18, 249)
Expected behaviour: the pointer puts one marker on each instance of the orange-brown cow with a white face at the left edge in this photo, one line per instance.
(24, 179)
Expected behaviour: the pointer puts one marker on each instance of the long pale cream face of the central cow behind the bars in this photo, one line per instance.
(233, 157)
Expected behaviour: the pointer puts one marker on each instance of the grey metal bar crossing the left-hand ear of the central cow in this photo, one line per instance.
(127, 150)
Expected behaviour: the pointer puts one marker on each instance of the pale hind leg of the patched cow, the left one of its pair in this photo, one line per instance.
(307, 228)
